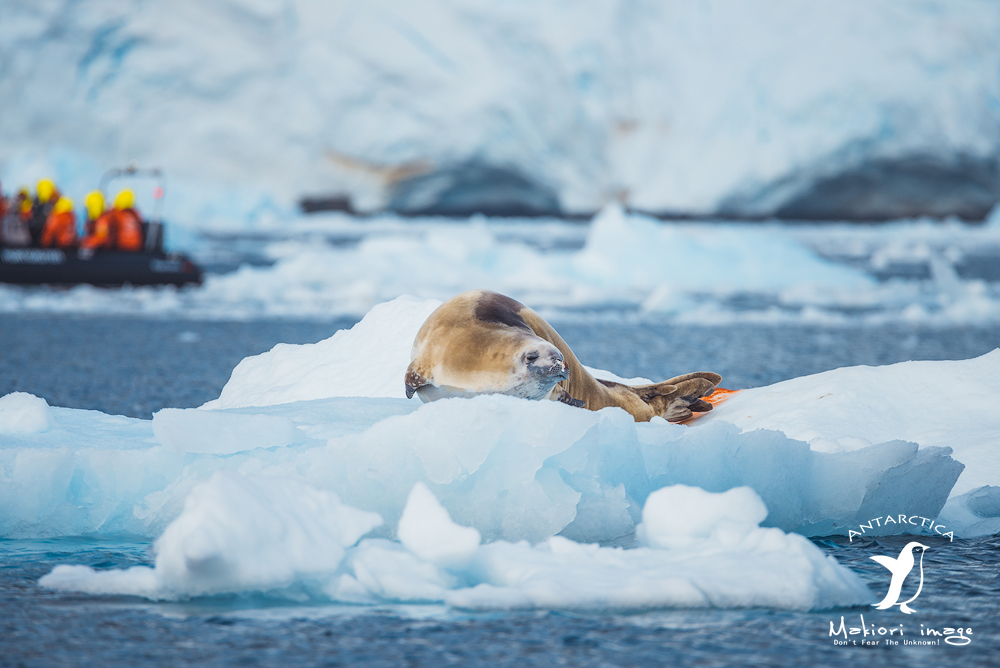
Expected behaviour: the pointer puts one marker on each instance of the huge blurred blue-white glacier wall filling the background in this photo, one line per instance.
(250, 103)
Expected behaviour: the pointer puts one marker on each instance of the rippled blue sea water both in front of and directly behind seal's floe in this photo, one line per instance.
(134, 366)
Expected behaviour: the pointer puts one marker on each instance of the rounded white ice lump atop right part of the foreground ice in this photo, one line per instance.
(681, 516)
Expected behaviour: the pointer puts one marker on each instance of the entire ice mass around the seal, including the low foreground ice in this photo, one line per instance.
(495, 502)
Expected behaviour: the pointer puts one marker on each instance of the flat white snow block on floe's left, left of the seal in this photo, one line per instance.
(193, 430)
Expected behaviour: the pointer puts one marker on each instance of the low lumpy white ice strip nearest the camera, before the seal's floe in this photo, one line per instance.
(245, 533)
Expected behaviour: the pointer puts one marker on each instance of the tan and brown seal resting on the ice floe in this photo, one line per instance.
(482, 342)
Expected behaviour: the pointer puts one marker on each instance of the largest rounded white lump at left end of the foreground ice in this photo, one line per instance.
(237, 533)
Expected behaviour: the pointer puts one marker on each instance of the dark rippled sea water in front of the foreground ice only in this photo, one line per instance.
(39, 627)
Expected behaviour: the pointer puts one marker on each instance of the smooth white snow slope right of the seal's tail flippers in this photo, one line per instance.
(949, 404)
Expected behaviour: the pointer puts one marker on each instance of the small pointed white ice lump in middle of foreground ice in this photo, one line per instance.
(426, 530)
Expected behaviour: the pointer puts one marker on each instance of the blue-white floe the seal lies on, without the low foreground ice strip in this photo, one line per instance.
(334, 416)
